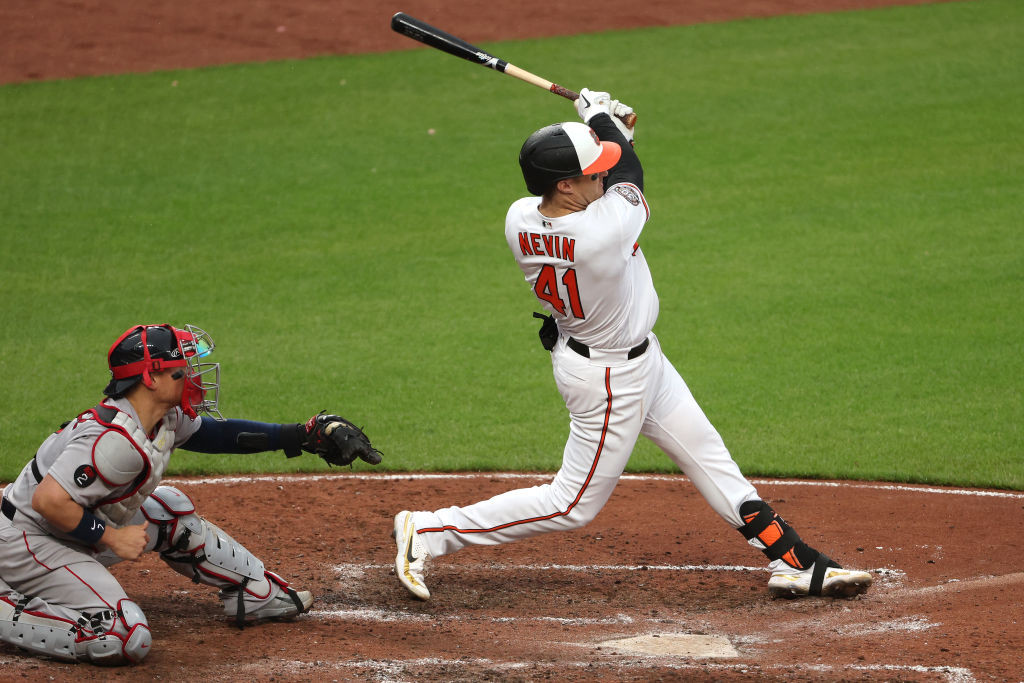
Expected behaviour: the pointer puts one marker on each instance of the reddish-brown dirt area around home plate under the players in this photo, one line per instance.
(657, 564)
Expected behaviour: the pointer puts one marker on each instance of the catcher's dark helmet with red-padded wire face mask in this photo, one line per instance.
(144, 350)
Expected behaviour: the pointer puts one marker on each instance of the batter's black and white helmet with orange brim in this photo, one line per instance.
(565, 151)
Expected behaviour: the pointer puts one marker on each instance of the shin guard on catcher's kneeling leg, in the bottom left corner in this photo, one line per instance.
(109, 637)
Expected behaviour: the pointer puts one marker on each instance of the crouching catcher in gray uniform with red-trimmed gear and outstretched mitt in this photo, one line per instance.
(92, 498)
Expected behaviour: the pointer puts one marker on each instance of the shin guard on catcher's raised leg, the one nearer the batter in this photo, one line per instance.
(200, 549)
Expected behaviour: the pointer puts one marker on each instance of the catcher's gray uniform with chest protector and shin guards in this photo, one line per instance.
(57, 595)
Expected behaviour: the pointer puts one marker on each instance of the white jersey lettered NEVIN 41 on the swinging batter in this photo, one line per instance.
(588, 269)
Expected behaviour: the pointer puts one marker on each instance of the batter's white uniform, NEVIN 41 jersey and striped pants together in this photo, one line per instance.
(589, 272)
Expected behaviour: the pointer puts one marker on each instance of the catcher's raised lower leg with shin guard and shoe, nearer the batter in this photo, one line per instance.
(196, 548)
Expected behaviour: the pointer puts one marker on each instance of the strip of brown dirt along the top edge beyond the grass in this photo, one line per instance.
(49, 39)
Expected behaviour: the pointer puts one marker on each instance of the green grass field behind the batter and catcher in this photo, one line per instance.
(836, 238)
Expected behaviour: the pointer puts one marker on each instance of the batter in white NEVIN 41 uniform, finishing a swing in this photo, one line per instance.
(577, 242)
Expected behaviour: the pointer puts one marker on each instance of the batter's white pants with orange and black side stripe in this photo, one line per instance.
(612, 401)
